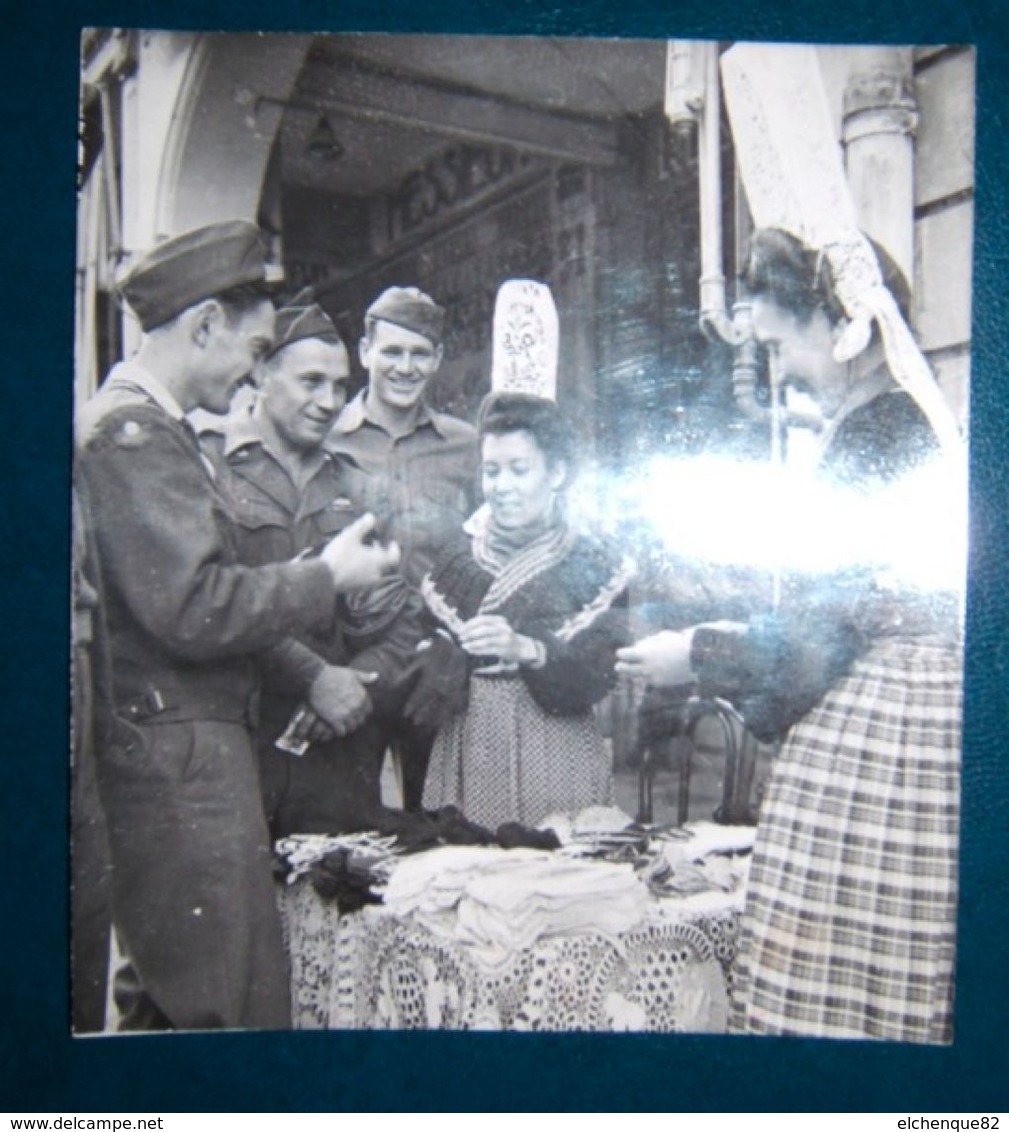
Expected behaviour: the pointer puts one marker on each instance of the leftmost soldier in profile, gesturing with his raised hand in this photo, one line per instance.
(193, 896)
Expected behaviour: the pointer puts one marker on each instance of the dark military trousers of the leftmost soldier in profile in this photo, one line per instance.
(194, 897)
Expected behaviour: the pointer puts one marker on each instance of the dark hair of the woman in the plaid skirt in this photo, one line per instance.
(800, 280)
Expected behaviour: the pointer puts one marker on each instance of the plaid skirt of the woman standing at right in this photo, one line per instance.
(850, 924)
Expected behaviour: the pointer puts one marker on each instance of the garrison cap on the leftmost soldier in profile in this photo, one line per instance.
(196, 265)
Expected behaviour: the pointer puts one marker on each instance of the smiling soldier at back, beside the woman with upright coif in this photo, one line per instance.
(420, 467)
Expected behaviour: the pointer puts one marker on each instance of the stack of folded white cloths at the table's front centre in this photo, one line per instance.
(500, 902)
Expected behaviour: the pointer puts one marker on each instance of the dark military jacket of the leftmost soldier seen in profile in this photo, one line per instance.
(185, 615)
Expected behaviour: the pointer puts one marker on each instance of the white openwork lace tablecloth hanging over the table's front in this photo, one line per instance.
(374, 971)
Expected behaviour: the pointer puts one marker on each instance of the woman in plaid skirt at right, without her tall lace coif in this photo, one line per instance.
(849, 928)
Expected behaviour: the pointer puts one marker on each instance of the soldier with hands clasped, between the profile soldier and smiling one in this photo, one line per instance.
(290, 495)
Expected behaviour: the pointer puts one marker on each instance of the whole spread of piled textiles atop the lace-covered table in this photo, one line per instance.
(605, 876)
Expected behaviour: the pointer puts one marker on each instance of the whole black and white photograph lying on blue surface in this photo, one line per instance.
(519, 535)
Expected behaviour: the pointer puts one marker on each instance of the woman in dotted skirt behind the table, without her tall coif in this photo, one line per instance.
(528, 616)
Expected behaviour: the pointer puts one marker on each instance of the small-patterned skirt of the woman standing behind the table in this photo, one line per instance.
(506, 760)
